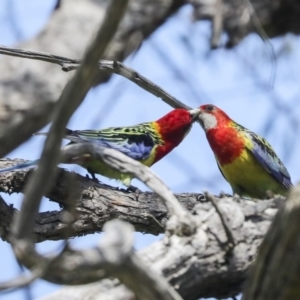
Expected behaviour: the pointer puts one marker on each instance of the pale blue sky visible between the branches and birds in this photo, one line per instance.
(237, 80)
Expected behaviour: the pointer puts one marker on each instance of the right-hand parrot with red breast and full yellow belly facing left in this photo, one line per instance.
(246, 160)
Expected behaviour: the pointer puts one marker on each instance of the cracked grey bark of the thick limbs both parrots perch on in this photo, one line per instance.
(194, 265)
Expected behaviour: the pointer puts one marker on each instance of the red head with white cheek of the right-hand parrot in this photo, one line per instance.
(211, 117)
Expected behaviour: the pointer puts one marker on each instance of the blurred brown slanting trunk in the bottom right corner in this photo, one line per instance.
(276, 272)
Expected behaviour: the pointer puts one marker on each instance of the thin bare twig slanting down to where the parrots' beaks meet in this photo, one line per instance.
(106, 65)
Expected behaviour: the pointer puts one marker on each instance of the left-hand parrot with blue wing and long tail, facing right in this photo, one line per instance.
(146, 142)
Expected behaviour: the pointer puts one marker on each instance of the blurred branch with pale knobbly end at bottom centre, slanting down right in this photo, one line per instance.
(120, 261)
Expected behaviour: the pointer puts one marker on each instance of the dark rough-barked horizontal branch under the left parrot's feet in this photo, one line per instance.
(96, 204)
